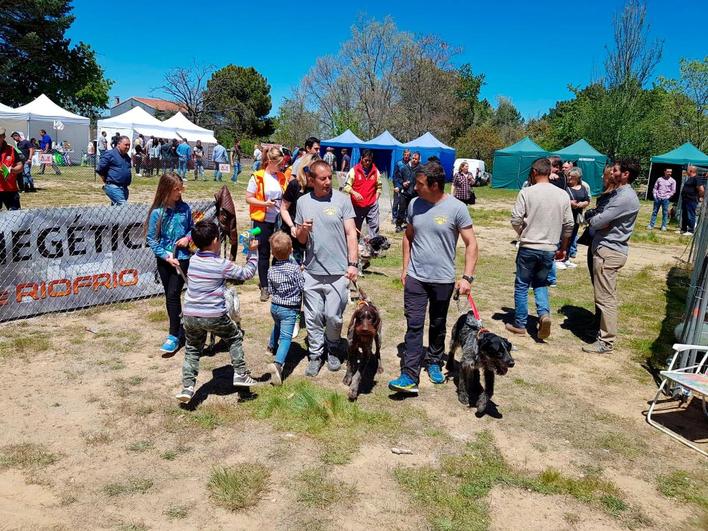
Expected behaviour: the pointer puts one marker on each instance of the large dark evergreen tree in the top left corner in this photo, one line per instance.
(37, 58)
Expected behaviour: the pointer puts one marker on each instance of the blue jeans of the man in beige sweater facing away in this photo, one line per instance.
(532, 268)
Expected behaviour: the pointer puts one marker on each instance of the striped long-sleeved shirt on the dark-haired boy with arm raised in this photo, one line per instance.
(206, 282)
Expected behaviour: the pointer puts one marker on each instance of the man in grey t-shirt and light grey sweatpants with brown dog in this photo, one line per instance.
(325, 223)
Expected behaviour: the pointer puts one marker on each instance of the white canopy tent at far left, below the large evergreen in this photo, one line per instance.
(43, 113)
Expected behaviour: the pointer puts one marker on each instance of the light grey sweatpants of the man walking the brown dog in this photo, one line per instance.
(325, 298)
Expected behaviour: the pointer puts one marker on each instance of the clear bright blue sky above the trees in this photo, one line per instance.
(529, 51)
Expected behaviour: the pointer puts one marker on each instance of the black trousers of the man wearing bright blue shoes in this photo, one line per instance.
(417, 296)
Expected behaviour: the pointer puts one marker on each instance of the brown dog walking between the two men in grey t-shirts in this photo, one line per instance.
(364, 338)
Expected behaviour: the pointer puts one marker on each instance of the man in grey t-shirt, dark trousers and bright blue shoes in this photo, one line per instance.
(435, 220)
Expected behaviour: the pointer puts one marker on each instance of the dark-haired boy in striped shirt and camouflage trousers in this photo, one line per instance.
(204, 307)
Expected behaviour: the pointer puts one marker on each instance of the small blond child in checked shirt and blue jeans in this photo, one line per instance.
(285, 283)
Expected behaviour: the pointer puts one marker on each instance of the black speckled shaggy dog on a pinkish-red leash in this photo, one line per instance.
(481, 349)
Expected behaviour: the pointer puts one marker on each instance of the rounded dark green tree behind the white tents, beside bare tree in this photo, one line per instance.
(238, 99)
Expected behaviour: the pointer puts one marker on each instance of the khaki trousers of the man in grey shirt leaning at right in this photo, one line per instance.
(606, 265)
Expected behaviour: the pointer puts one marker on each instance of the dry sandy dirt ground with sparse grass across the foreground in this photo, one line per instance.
(92, 437)
